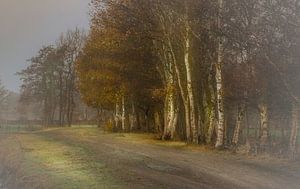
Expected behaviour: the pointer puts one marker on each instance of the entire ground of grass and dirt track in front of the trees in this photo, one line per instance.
(87, 157)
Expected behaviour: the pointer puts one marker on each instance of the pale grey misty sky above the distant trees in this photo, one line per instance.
(27, 25)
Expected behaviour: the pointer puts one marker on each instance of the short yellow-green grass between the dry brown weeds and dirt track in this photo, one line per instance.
(61, 165)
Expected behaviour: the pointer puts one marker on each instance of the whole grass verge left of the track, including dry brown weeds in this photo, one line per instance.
(38, 161)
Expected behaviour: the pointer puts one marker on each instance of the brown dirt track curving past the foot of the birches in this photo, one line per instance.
(138, 164)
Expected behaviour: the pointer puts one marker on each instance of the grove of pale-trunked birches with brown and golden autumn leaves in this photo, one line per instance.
(185, 64)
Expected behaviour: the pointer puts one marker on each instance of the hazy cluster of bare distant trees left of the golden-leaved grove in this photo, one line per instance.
(50, 79)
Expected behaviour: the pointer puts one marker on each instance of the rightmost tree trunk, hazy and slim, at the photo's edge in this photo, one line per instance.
(294, 131)
